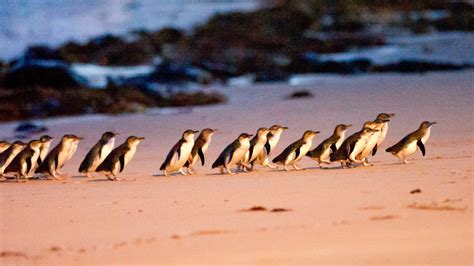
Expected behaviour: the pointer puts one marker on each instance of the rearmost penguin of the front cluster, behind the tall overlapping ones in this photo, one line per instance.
(322, 152)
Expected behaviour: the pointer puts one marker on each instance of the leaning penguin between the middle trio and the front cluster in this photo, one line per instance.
(295, 151)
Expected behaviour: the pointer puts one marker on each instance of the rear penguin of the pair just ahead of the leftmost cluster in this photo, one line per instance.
(98, 153)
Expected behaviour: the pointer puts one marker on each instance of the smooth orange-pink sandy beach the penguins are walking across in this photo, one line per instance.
(365, 215)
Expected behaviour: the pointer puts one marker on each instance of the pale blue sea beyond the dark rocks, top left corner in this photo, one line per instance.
(53, 22)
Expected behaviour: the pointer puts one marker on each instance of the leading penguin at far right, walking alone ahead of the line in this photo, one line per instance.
(408, 145)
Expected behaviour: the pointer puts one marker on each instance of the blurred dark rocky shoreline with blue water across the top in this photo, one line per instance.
(73, 57)
